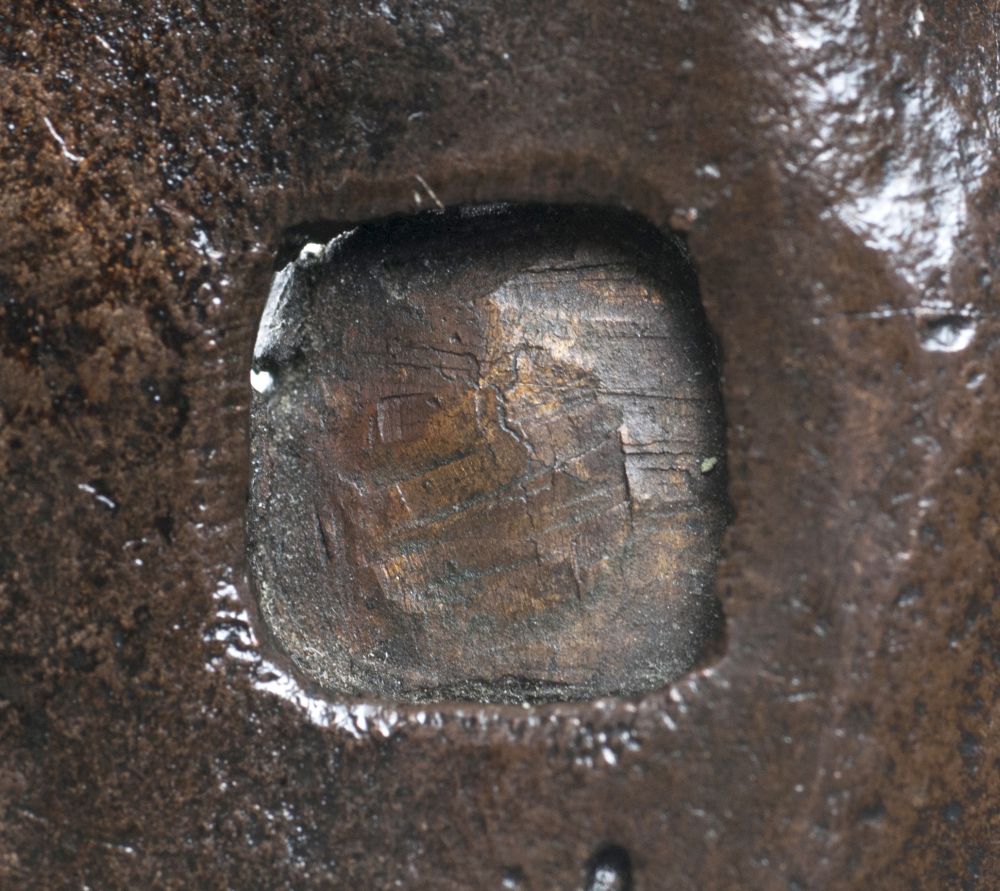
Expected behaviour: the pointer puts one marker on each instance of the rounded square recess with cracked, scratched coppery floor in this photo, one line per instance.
(487, 458)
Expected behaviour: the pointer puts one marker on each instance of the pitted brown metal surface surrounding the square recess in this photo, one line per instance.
(844, 740)
